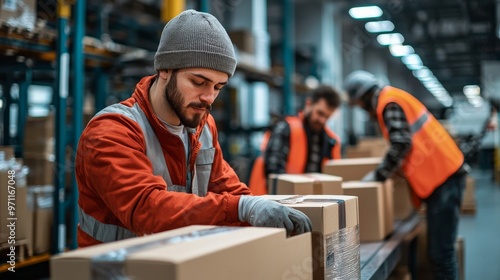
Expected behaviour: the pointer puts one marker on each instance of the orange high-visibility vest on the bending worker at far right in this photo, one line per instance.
(434, 155)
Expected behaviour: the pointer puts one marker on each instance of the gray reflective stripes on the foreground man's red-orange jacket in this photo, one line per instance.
(108, 232)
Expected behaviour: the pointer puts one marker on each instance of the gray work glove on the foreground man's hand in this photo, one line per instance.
(261, 212)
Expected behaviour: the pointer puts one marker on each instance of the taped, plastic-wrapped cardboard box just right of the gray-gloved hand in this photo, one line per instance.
(335, 235)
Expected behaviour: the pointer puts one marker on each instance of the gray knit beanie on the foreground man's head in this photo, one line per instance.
(195, 40)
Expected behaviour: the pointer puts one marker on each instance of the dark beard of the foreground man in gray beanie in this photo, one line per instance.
(176, 100)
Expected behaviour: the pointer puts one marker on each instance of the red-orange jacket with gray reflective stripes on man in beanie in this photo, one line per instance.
(132, 175)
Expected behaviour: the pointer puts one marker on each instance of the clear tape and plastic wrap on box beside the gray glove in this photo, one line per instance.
(342, 249)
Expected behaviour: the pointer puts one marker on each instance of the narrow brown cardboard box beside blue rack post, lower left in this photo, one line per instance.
(40, 202)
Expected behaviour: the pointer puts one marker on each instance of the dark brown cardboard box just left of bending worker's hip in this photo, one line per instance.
(403, 206)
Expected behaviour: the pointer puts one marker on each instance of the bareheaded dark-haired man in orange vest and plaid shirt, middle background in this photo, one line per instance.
(299, 144)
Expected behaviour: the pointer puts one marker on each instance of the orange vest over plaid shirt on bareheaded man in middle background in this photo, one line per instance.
(297, 157)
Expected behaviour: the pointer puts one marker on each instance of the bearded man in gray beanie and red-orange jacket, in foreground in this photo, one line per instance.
(159, 149)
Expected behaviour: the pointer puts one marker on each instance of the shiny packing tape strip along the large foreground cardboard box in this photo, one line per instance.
(110, 265)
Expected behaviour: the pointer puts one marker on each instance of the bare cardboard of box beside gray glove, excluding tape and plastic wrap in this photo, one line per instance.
(324, 216)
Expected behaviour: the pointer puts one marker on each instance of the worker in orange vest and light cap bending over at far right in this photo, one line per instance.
(423, 151)
